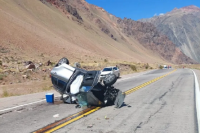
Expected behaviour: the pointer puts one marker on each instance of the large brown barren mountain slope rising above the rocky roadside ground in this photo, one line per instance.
(52, 29)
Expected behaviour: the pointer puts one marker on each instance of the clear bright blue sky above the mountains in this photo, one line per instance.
(137, 9)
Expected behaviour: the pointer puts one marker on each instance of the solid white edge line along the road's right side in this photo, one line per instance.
(197, 99)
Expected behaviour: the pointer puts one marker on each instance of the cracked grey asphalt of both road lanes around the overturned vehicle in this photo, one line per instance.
(165, 106)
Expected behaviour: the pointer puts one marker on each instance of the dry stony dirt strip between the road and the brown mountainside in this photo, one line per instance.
(14, 84)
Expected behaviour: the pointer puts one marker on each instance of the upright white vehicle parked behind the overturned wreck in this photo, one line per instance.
(110, 70)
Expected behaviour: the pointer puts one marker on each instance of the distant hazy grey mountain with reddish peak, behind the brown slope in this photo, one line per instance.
(182, 27)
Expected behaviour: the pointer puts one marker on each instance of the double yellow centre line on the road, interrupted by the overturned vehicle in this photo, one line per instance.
(66, 121)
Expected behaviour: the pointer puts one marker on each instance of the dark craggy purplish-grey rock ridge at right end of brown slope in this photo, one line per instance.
(151, 39)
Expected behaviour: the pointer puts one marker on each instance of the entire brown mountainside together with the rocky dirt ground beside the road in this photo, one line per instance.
(43, 31)
